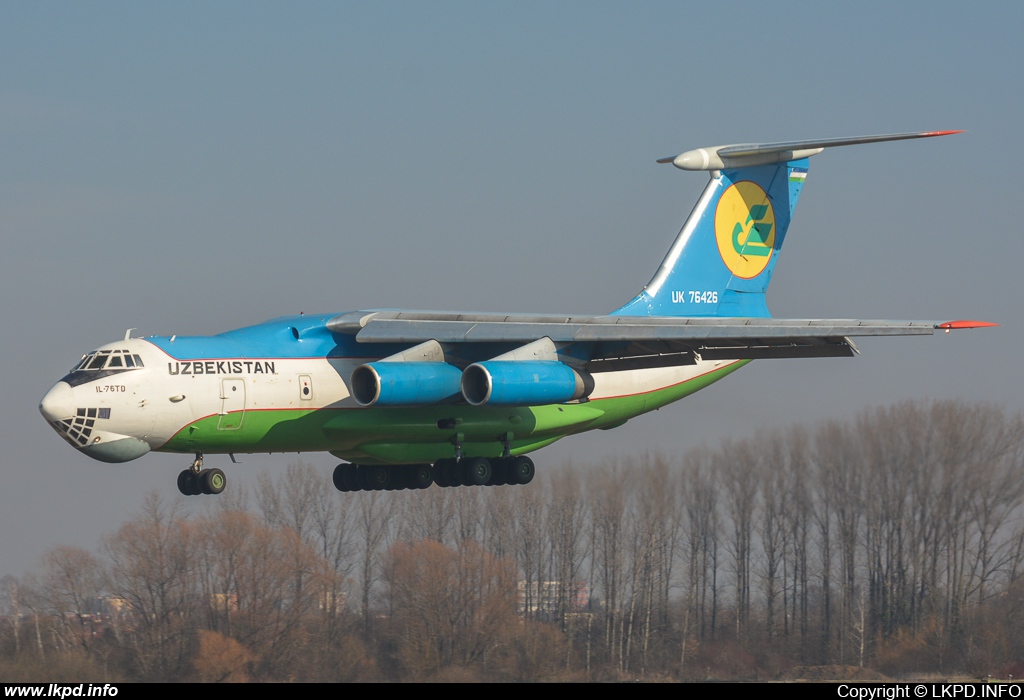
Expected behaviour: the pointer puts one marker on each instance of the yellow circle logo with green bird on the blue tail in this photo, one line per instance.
(745, 229)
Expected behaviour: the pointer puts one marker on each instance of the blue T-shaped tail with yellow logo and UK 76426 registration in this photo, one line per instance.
(723, 259)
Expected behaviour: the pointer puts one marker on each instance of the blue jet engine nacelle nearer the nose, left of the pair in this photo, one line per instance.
(404, 384)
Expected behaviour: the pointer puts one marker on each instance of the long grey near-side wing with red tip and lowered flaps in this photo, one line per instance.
(616, 342)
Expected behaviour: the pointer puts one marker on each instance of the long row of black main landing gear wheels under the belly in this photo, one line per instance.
(445, 473)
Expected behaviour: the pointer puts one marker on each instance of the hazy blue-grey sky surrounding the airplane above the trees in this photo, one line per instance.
(191, 168)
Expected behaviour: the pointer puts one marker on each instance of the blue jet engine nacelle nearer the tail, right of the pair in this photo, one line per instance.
(503, 383)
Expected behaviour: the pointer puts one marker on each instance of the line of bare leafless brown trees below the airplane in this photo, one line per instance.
(894, 542)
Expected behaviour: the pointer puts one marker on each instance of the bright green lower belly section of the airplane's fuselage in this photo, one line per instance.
(413, 435)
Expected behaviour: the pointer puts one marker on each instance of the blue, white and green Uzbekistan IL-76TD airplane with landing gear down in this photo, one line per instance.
(410, 400)
